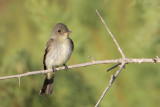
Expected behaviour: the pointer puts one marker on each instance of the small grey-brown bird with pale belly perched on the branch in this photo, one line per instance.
(58, 51)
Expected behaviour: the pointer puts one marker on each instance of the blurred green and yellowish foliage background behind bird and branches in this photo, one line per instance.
(25, 27)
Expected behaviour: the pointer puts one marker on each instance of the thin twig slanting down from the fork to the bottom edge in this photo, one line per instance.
(113, 77)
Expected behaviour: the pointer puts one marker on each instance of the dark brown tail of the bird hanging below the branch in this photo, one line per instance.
(47, 86)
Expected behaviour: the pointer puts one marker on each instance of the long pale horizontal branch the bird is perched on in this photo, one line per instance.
(128, 60)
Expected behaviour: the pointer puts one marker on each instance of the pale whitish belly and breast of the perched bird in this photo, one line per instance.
(58, 55)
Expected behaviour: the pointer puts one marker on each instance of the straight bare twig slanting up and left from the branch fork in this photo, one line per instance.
(119, 48)
